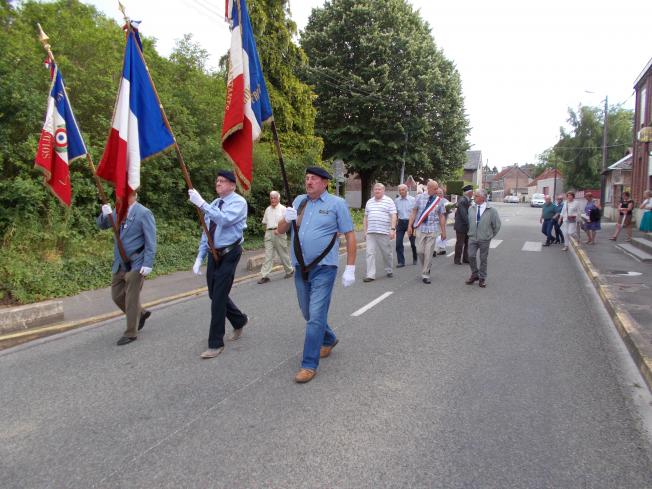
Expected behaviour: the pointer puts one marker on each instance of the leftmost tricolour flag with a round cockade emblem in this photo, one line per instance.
(60, 142)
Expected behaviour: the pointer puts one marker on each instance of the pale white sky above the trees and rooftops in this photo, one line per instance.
(522, 63)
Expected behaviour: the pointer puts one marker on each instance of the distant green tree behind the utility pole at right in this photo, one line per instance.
(578, 154)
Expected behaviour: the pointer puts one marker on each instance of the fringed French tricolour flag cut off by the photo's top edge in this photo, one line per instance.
(247, 101)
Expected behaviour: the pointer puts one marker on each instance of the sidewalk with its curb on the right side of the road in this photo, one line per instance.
(623, 284)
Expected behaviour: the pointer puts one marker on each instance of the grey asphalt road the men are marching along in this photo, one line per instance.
(521, 385)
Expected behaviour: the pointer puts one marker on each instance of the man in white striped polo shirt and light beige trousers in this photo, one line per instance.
(380, 229)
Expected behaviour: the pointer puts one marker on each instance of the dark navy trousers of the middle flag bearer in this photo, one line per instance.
(219, 278)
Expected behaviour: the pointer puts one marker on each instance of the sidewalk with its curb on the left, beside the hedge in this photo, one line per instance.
(94, 306)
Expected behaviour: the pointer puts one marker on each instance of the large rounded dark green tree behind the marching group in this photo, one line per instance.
(384, 91)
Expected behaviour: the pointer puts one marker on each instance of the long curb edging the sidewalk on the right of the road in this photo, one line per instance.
(627, 327)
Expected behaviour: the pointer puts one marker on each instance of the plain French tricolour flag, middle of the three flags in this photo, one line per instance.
(138, 130)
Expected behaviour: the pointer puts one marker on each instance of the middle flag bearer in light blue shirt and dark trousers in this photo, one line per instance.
(226, 220)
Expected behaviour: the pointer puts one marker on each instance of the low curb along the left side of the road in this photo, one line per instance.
(34, 333)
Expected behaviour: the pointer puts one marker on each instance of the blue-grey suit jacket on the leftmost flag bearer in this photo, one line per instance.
(138, 235)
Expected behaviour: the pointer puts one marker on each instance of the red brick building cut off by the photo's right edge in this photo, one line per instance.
(641, 162)
